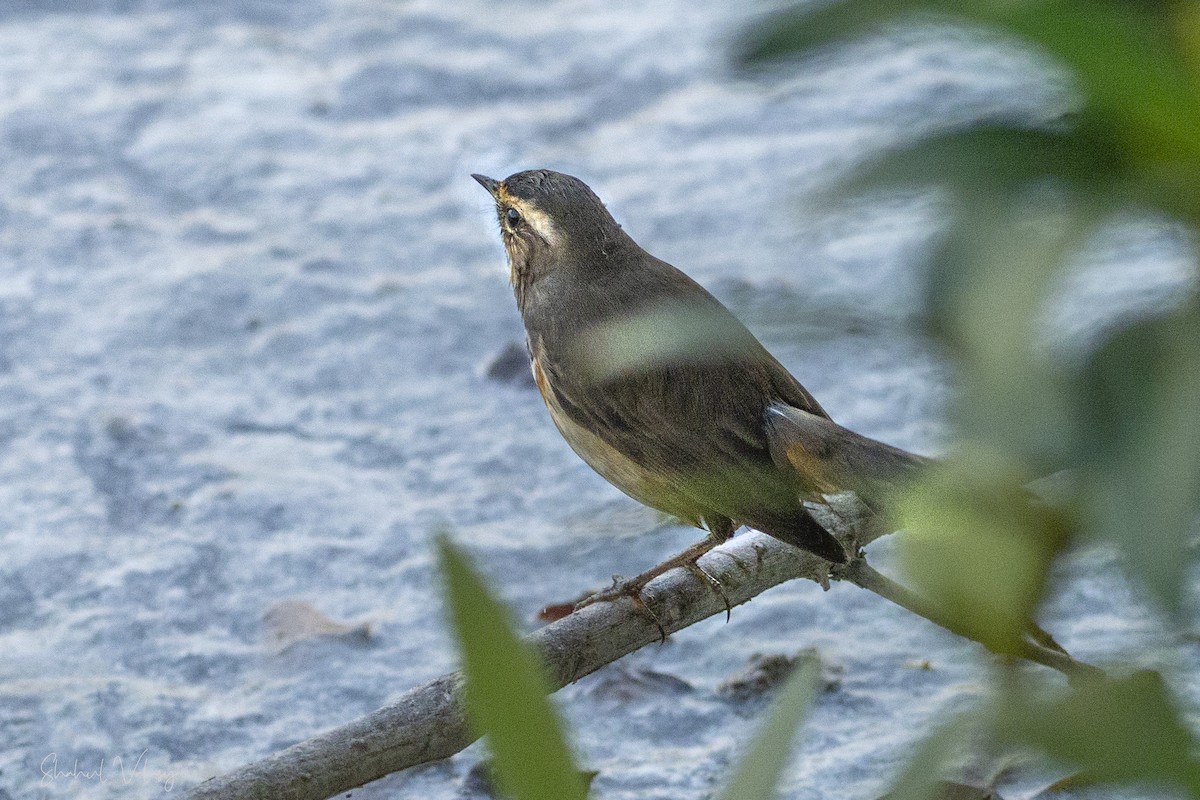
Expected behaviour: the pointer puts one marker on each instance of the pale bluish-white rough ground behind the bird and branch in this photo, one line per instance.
(248, 294)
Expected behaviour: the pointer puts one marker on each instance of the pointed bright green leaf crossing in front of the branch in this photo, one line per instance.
(507, 691)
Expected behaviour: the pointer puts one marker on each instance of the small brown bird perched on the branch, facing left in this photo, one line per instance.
(662, 390)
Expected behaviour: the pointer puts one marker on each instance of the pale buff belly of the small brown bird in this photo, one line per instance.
(639, 483)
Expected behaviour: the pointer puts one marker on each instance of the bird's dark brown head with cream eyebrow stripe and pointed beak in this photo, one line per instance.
(549, 222)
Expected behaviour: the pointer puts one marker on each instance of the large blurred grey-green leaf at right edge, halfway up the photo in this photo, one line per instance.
(1139, 399)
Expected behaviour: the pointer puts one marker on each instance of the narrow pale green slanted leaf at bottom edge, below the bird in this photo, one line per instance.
(757, 777)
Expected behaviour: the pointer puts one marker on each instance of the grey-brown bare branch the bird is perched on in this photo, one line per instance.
(429, 724)
